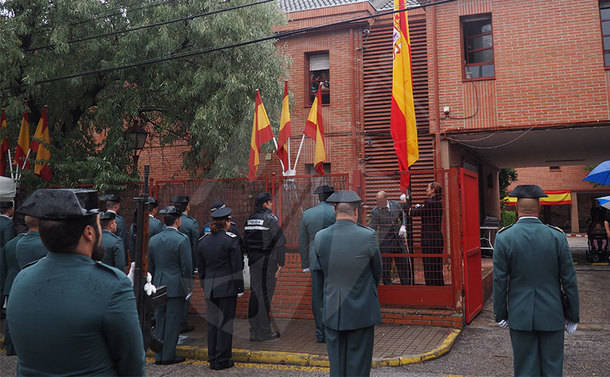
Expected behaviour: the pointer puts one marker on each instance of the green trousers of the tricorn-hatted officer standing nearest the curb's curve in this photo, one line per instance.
(350, 352)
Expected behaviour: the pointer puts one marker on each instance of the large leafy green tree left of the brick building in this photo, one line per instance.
(205, 100)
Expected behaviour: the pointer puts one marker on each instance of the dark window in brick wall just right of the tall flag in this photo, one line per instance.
(478, 47)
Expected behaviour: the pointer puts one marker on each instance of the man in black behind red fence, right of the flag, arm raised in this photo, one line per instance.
(431, 213)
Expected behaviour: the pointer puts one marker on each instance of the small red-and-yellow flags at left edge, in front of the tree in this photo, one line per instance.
(38, 148)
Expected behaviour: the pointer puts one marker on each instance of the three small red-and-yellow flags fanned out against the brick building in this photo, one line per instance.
(262, 133)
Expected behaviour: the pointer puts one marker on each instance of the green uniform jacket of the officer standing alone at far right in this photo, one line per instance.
(532, 264)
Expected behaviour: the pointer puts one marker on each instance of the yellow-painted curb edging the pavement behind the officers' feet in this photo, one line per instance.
(314, 360)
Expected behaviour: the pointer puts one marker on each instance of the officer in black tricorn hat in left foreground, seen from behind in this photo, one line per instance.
(70, 315)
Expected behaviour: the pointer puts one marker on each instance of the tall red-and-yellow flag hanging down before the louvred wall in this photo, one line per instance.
(402, 118)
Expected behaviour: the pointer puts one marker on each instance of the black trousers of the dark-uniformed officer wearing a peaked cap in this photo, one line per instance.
(220, 316)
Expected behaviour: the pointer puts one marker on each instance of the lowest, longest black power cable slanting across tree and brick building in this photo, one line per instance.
(216, 49)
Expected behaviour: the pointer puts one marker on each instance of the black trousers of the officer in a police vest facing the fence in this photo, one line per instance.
(262, 286)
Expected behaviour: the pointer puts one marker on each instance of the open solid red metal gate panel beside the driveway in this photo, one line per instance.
(471, 245)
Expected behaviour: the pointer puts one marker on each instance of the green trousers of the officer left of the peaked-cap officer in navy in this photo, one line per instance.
(167, 327)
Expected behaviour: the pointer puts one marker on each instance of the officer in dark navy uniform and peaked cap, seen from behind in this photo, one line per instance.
(221, 278)
